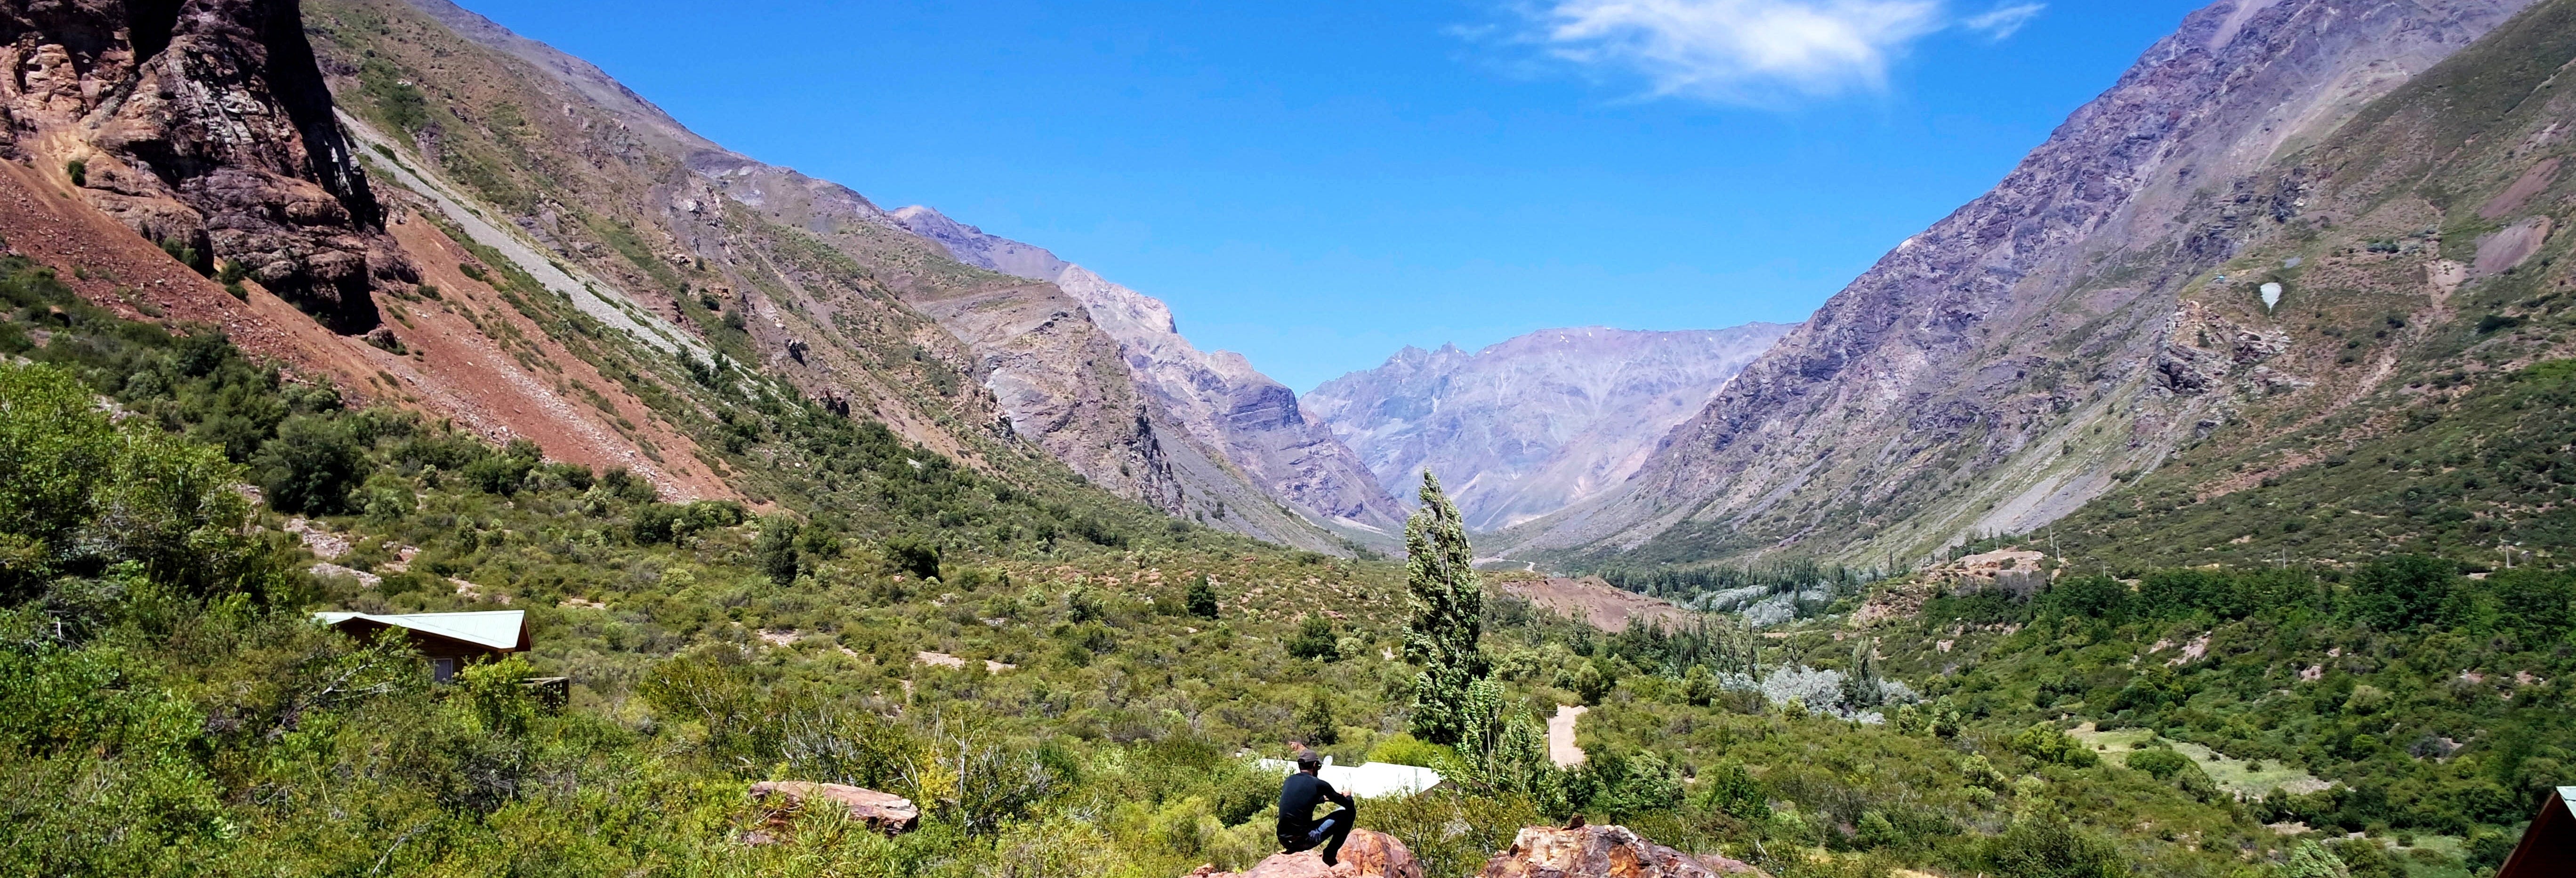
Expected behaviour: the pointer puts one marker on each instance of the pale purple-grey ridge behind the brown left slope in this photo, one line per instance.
(1256, 424)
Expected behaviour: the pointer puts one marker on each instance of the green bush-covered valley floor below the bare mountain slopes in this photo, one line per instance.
(176, 709)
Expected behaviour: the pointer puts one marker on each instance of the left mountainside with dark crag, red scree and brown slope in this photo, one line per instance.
(506, 238)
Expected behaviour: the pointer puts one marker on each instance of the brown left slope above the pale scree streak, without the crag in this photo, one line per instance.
(766, 266)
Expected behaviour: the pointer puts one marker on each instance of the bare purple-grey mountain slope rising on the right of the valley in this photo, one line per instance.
(2070, 331)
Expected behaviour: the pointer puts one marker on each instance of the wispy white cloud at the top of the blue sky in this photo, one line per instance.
(1753, 50)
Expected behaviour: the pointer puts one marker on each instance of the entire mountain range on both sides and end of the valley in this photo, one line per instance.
(2204, 256)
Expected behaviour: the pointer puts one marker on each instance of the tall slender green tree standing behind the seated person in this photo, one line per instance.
(1449, 617)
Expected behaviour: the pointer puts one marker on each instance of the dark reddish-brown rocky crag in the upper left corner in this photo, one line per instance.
(202, 125)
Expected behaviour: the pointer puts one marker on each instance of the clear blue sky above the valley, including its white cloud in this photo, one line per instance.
(1320, 184)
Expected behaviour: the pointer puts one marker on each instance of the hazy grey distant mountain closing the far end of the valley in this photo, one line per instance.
(1534, 424)
